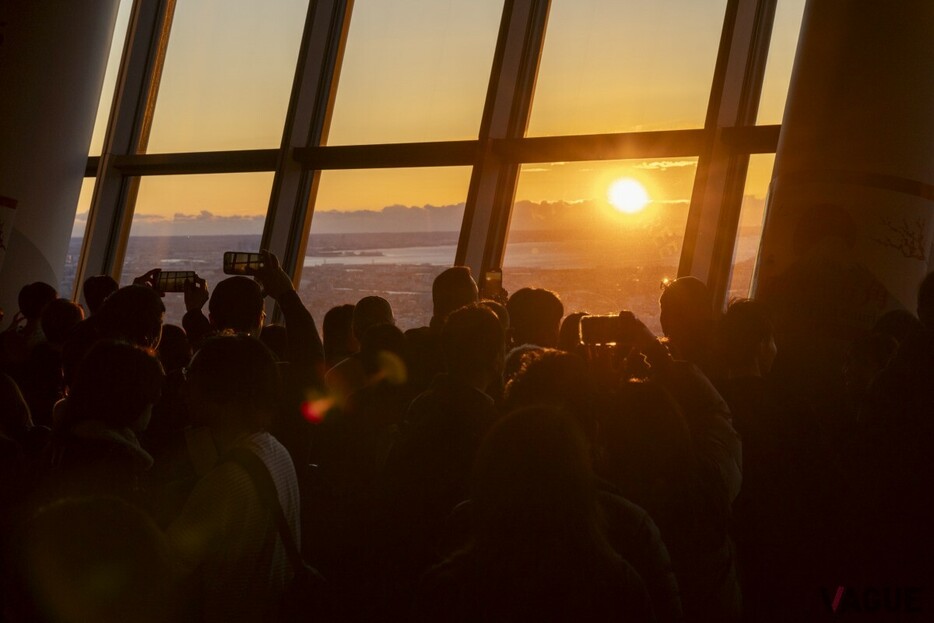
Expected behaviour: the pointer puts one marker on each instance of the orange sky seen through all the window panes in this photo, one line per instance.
(417, 70)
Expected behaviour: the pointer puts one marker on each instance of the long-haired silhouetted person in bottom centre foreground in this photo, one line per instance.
(538, 551)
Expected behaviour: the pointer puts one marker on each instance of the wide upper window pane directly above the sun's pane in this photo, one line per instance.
(610, 66)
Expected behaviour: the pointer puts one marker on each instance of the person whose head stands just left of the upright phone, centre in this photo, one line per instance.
(452, 289)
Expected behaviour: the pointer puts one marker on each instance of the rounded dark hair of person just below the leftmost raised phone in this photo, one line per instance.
(133, 313)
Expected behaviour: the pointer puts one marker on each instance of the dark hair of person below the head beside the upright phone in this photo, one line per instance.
(471, 339)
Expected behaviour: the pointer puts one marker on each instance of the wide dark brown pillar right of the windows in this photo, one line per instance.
(850, 221)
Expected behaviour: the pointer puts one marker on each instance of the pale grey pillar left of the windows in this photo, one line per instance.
(53, 55)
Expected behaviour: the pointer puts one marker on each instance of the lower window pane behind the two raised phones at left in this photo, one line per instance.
(186, 222)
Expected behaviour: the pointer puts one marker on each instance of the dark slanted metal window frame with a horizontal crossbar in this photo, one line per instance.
(722, 146)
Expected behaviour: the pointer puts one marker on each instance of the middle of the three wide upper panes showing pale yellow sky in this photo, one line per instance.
(415, 70)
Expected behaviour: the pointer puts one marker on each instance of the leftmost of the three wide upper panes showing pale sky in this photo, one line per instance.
(228, 75)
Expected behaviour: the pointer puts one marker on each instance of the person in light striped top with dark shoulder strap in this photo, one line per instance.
(225, 538)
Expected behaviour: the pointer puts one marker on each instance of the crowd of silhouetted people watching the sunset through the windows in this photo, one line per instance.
(499, 464)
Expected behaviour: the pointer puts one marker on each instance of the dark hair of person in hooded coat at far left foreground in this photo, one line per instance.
(114, 384)
